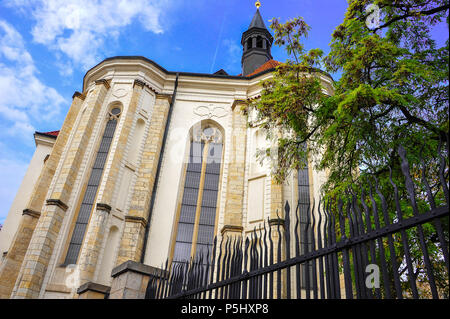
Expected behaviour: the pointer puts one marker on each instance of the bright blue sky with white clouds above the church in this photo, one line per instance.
(46, 47)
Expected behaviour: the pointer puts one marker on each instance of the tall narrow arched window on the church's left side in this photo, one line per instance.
(91, 190)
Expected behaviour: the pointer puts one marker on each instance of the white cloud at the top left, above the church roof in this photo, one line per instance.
(81, 28)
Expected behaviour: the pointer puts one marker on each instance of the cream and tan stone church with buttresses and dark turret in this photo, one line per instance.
(149, 166)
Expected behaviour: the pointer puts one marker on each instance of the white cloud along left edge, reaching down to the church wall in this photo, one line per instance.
(24, 101)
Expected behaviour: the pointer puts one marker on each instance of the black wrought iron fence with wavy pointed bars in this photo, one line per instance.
(358, 246)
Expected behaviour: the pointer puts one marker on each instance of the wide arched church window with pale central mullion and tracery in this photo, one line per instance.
(197, 219)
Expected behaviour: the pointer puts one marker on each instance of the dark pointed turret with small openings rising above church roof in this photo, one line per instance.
(257, 42)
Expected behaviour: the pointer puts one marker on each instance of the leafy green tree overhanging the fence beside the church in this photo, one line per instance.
(393, 91)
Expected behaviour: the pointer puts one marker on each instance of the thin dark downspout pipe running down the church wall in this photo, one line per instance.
(158, 169)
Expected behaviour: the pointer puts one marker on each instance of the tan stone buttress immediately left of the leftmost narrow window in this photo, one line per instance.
(43, 240)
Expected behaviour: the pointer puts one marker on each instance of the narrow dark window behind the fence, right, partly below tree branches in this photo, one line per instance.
(305, 221)
